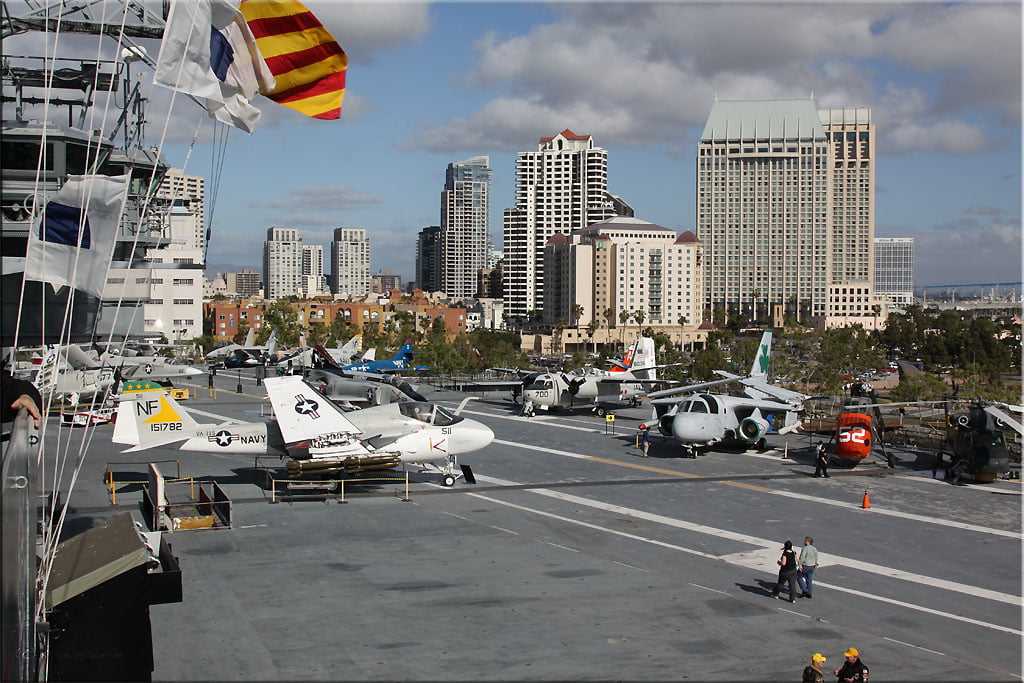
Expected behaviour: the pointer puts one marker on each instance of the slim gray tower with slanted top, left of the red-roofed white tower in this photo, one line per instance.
(465, 225)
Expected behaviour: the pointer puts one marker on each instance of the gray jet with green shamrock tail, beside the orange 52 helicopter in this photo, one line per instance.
(701, 420)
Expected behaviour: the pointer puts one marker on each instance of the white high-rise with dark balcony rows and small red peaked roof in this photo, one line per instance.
(561, 188)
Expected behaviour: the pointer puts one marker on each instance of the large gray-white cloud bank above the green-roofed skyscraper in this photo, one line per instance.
(638, 73)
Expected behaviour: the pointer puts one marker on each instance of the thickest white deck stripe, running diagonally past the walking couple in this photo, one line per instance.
(765, 543)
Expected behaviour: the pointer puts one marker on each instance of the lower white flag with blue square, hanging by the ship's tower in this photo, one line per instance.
(76, 235)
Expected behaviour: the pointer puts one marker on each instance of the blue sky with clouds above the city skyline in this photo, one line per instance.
(430, 84)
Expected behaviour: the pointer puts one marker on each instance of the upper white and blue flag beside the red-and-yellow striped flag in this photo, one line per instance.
(209, 52)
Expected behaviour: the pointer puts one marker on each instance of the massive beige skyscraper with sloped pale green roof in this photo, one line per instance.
(785, 204)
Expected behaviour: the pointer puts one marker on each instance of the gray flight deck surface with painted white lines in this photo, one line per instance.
(573, 559)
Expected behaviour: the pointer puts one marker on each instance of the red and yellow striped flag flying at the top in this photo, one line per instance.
(308, 63)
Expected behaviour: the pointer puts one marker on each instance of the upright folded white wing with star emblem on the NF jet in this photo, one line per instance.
(304, 414)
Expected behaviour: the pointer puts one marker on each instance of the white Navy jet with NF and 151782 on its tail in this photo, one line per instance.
(316, 434)
